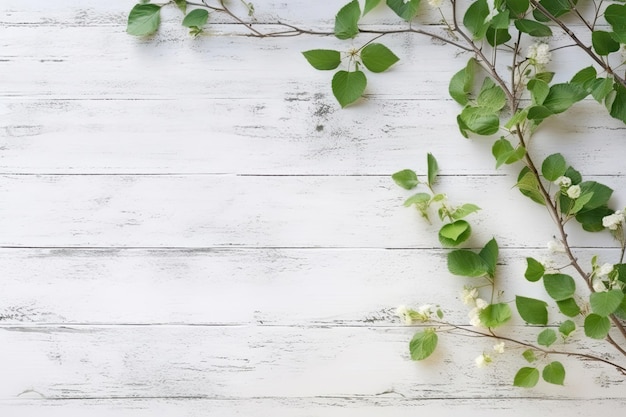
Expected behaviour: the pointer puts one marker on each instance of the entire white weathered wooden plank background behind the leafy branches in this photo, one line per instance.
(193, 227)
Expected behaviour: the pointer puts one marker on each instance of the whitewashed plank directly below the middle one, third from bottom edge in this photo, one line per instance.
(343, 287)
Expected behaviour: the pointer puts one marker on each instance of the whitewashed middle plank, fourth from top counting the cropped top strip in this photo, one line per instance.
(227, 210)
